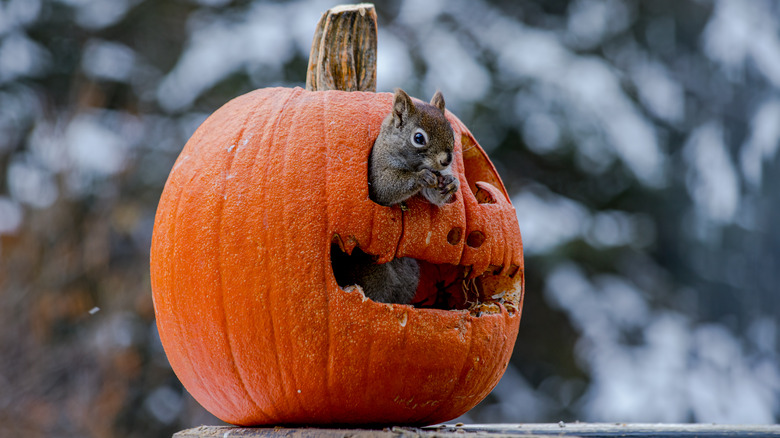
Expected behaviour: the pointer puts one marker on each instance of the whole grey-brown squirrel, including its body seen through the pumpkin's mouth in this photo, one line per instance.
(412, 154)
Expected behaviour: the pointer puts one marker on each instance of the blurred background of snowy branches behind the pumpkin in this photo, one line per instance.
(638, 140)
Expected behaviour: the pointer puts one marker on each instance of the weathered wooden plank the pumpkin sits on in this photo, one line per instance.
(593, 430)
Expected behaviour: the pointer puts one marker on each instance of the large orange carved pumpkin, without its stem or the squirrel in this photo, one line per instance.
(248, 310)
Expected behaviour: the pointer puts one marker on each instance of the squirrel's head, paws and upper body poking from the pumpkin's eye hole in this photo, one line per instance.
(413, 153)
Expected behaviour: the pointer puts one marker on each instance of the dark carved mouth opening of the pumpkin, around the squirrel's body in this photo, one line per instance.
(443, 286)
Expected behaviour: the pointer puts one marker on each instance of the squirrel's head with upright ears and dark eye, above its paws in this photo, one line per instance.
(423, 129)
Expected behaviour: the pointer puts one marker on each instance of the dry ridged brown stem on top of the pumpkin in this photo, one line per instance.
(343, 51)
